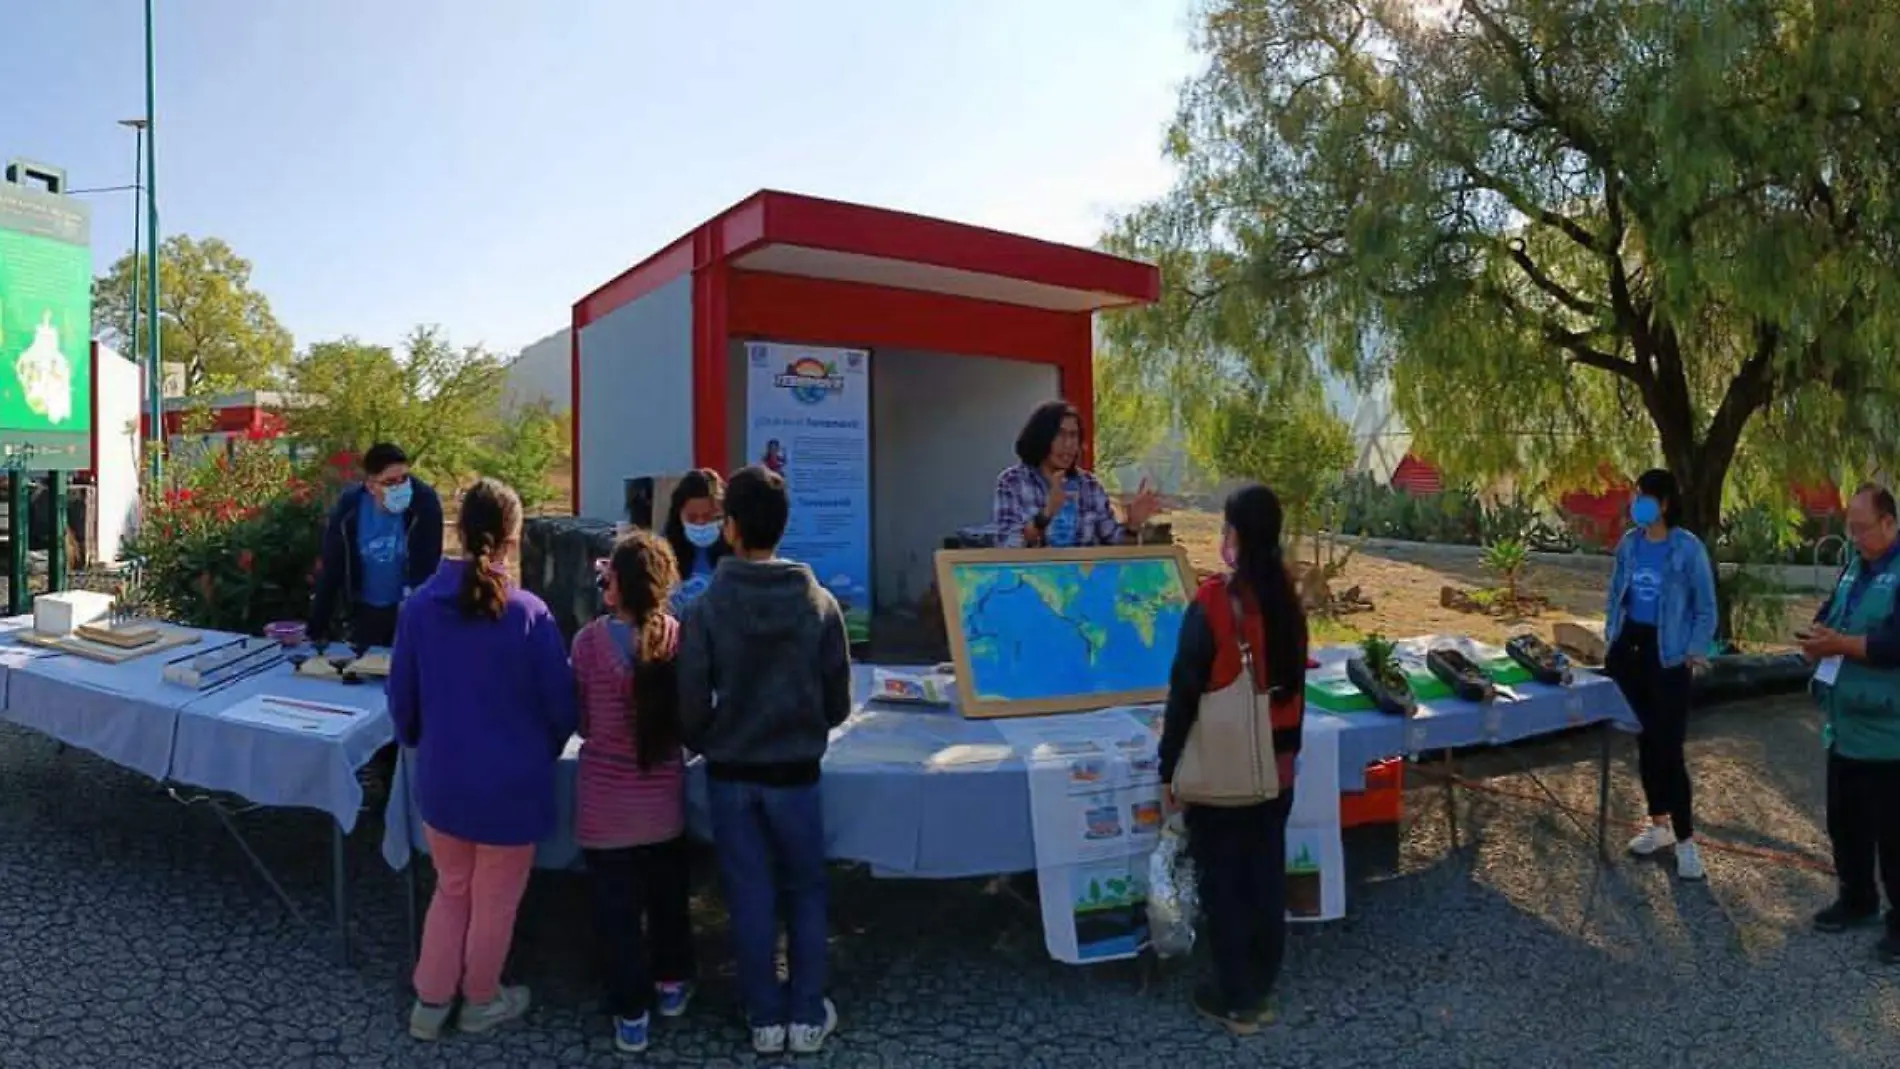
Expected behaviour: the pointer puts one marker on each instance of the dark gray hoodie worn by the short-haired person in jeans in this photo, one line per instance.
(765, 673)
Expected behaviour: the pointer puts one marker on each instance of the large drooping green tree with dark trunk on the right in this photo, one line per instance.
(1570, 233)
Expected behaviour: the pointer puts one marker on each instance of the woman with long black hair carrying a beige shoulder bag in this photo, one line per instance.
(1242, 852)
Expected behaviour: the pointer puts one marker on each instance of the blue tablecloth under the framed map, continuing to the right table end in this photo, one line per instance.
(922, 793)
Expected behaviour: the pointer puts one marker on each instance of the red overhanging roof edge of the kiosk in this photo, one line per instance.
(793, 234)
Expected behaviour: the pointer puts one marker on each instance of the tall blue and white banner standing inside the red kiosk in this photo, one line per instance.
(808, 419)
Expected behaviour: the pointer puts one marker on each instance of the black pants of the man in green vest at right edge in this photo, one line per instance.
(1865, 827)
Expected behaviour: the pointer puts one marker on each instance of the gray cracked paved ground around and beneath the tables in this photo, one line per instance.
(132, 935)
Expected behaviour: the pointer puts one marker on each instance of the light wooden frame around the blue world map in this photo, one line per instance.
(949, 586)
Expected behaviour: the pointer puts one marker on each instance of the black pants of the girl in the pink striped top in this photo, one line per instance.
(643, 918)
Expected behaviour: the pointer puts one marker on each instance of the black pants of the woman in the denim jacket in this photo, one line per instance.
(1660, 698)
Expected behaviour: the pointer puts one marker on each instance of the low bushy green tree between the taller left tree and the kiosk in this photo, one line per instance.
(436, 402)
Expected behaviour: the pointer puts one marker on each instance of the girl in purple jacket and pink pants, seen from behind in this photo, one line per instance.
(480, 690)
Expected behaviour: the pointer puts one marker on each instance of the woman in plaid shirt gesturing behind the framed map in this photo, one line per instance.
(1048, 500)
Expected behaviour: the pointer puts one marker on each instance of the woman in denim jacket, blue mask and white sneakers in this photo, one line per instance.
(1662, 624)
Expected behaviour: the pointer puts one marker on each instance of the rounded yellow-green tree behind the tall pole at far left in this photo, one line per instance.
(214, 322)
